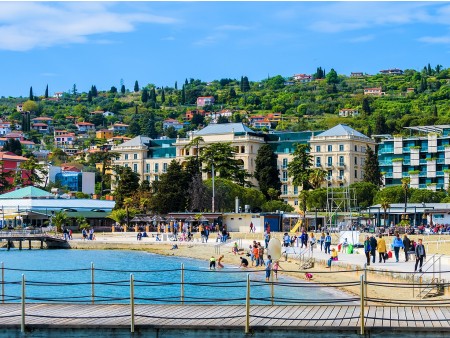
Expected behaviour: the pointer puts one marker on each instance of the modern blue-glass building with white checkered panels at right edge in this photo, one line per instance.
(424, 157)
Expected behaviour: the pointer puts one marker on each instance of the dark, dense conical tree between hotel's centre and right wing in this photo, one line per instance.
(266, 170)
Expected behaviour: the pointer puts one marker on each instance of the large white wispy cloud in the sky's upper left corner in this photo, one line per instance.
(28, 25)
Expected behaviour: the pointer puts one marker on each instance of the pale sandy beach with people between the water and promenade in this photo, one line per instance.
(203, 251)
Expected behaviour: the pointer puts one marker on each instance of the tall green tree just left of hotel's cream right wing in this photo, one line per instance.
(299, 167)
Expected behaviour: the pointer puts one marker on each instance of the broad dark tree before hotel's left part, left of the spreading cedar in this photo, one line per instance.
(167, 195)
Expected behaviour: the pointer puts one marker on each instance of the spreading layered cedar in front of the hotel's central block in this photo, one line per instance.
(221, 155)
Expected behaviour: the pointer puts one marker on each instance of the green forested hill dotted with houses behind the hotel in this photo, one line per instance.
(413, 98)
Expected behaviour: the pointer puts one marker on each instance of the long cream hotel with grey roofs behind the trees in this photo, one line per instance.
(339, 150)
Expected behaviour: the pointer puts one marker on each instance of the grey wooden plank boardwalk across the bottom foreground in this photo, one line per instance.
(228, 317)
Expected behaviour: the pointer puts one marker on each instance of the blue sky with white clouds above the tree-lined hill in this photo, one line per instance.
(100, 43)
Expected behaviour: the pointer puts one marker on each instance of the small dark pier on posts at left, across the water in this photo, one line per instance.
(51, 242)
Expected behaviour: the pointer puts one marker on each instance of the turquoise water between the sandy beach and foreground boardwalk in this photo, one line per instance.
(222, 286)
